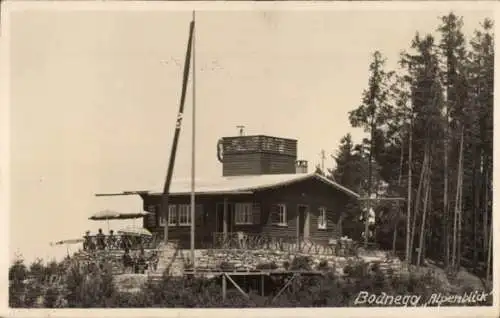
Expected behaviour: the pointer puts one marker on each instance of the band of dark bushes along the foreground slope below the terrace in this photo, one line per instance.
(85, 285)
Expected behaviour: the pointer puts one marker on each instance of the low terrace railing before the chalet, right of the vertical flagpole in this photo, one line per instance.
(251, 241)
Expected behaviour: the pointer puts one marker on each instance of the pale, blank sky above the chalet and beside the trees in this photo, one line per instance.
(94, 96)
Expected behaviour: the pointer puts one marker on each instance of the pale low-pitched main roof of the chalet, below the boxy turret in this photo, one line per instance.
(238, 185)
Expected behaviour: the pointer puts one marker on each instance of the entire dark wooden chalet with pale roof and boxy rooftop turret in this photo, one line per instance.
(263, 190)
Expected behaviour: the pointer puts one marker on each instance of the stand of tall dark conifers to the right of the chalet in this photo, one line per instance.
(440, 106)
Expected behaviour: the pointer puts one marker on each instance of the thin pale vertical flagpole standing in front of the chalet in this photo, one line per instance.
(193, 205)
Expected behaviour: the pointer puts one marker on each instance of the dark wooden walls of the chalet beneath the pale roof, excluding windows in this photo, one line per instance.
(302, 199)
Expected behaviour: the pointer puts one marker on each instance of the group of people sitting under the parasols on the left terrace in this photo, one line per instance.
(102, 242)
